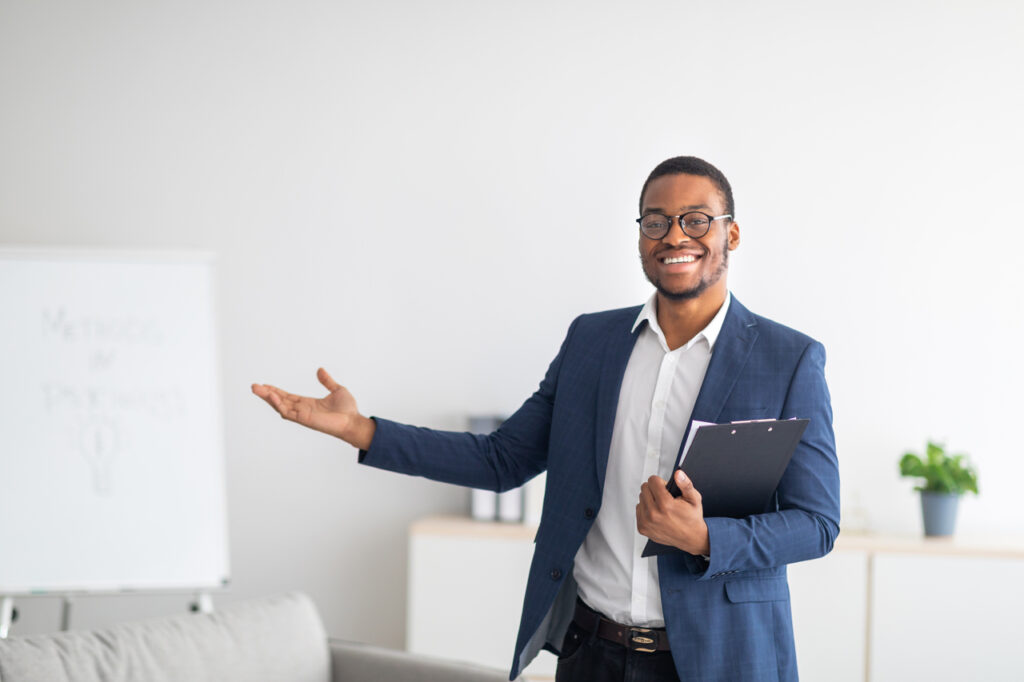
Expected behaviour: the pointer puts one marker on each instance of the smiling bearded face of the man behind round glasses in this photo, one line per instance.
(696, 266)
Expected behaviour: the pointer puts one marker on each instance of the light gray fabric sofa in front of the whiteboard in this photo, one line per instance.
(276, 640)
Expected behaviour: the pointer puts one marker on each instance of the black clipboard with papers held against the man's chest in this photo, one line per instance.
(737, 467)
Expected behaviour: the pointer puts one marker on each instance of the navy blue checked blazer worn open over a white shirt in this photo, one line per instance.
(728, 619)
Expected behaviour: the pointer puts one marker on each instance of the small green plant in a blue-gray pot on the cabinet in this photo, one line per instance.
(947, 479)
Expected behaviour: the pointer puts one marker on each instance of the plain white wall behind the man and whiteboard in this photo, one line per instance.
(420, 197)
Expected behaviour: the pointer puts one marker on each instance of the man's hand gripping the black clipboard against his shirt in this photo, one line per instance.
(674, 522)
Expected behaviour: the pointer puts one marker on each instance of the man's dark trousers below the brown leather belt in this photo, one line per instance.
(587, 658)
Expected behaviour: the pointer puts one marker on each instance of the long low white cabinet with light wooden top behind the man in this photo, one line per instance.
(877, 609)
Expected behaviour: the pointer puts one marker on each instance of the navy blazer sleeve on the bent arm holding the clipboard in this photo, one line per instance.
(806, 523)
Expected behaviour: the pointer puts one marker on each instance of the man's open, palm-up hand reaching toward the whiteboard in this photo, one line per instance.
(336, 414)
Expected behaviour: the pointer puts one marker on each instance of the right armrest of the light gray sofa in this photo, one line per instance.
(352, 662)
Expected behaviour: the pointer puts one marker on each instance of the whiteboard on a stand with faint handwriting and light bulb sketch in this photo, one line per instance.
(112, 467)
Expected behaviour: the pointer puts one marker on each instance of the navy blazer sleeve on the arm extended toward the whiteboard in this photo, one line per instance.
(499, 461)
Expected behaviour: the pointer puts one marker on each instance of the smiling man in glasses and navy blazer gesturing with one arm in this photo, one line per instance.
(608, 423)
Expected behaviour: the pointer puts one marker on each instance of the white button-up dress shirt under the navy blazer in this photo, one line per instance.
(659, 392)
